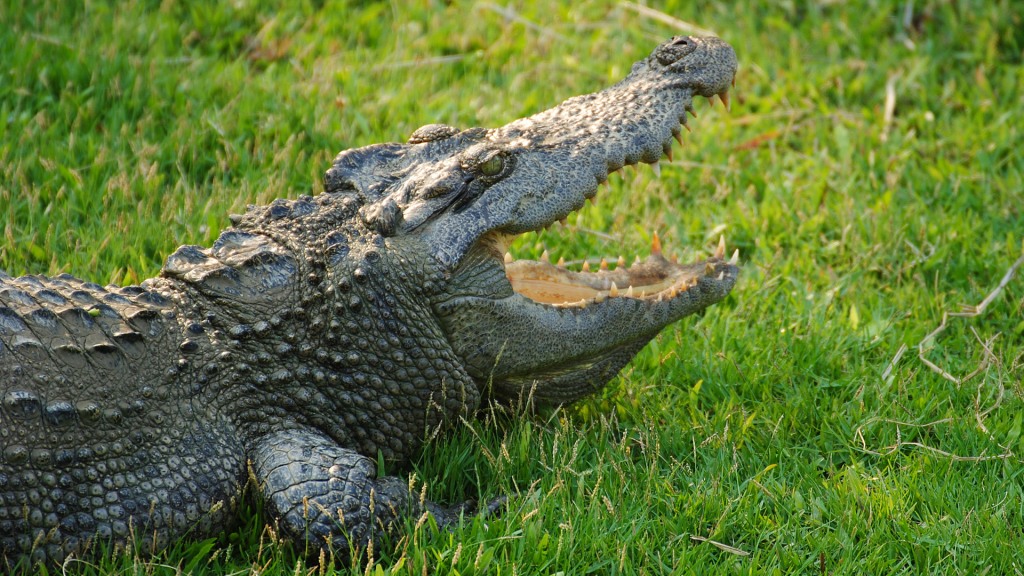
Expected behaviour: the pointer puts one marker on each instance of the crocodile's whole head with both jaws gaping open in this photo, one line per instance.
(463, 196)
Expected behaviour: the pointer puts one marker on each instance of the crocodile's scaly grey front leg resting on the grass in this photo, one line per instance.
(325, 497)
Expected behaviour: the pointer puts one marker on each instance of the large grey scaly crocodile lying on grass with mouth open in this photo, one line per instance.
(320, 336)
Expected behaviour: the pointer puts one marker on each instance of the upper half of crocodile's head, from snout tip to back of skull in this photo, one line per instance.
(562, 155)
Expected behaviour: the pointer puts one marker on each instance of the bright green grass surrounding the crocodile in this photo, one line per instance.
(765, 425)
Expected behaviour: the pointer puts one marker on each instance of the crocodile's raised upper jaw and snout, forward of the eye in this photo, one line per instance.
(567, 152)
